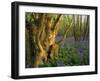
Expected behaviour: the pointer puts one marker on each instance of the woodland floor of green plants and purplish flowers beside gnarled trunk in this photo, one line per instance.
(71, 53)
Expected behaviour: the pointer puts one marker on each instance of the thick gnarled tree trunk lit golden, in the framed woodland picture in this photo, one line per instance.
(44, 39)
